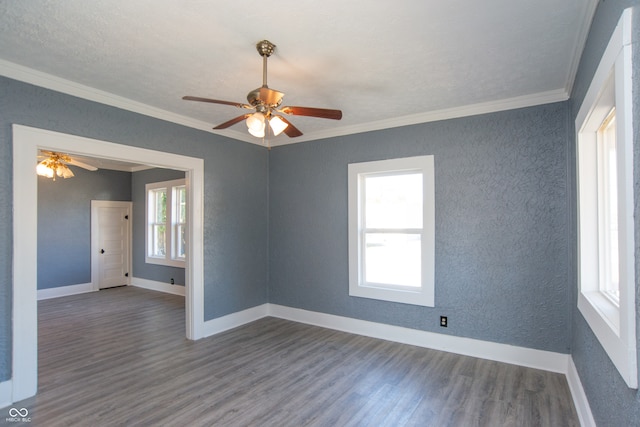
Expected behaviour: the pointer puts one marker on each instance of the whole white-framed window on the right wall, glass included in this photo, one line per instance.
(606, 275)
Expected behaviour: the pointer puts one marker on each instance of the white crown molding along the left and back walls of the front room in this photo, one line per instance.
(58, 84)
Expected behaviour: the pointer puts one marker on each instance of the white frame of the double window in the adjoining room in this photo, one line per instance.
(170, 258)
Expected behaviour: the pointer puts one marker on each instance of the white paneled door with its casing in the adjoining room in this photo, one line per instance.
(110, 243)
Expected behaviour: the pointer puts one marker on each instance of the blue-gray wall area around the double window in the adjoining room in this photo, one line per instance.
(141, 269)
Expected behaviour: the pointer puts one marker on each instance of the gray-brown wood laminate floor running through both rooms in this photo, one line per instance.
(119, 357)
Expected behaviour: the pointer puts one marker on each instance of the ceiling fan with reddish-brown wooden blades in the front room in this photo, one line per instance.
(266, 103)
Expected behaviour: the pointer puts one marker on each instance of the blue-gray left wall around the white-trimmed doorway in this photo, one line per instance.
(235, 199)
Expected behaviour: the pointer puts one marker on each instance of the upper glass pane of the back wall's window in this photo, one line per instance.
(393, 201)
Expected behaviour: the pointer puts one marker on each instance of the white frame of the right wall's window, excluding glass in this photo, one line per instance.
(613, 324)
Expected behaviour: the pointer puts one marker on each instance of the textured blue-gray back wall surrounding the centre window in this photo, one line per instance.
(501, 226)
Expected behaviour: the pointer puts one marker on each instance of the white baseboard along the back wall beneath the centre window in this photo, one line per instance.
(538, 359)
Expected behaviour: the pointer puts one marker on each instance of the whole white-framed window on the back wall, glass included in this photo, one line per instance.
(391, 230)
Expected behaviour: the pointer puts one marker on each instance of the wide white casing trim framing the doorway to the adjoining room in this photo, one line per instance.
(26, 143)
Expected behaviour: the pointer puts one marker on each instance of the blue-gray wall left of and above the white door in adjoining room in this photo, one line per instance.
(64, 223)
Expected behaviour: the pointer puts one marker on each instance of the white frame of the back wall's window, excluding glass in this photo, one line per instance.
(357, 172)
